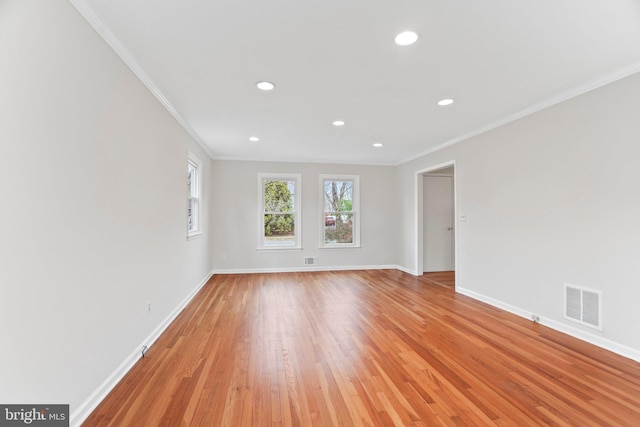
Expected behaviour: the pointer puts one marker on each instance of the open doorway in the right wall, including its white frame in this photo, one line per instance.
(436, 220)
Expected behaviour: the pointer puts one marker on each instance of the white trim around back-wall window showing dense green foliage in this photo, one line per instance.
(297, 208)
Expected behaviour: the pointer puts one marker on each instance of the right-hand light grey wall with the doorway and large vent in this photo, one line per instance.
(550, 198)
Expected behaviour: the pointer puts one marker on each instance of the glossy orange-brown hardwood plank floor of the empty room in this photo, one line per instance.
(365, 348)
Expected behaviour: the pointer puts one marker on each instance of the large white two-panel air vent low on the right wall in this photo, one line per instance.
(583, 305)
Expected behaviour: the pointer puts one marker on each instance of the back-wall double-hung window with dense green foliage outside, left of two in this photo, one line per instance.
(279, 223)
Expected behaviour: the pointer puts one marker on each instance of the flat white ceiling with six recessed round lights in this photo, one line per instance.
(336, 59)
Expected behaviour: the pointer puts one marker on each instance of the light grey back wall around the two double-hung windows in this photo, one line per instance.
(236, 218)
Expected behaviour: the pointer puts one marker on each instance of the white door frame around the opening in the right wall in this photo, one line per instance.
(419, 225)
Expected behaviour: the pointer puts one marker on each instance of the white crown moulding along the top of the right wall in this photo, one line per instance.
(572, 93)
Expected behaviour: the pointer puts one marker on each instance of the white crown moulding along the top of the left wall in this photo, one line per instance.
(103, 30)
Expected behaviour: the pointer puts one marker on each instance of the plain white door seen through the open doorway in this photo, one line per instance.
(438, 224)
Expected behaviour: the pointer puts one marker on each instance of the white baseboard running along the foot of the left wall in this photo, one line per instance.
(81, 413)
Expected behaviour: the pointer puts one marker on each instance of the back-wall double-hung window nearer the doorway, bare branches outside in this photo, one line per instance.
(340, 211)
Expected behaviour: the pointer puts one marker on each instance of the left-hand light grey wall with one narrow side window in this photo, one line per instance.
(92, 208)
